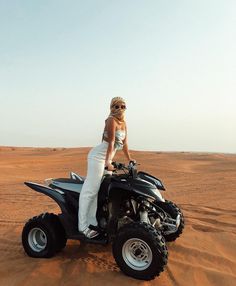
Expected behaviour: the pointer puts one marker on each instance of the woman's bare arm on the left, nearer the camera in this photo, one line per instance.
(111, 128)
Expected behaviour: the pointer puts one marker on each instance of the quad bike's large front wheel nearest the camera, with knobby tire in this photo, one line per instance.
(140, 251)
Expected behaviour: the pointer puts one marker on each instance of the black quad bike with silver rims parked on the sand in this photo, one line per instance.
(131, 214)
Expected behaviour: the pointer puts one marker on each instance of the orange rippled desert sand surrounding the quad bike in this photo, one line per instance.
(202, 184)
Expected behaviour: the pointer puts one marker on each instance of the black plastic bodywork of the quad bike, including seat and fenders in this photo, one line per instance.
(113, 190)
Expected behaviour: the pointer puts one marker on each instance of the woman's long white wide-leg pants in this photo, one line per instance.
(89, 191)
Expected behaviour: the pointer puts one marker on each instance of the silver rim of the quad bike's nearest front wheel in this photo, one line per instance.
(137, 254)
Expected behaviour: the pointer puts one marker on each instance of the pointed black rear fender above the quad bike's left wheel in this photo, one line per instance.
(56, 195)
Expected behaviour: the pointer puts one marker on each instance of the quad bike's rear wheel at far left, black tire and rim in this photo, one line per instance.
(41, 236)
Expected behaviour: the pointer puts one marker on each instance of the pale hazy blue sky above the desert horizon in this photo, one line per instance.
(173, 61)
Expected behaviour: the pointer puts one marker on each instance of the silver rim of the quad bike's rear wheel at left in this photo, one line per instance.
(37, 239)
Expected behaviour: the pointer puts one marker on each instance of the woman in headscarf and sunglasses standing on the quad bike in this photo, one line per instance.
(114, 138)
